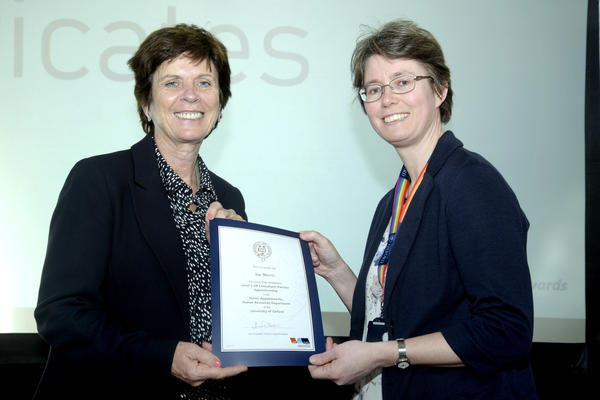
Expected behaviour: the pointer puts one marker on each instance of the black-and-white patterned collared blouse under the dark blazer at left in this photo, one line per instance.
(190, 225)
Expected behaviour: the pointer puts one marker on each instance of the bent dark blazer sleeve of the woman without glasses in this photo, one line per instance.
(71, 313)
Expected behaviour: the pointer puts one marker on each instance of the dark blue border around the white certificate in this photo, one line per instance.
(299, 349)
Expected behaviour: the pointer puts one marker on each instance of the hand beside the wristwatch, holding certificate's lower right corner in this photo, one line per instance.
(348, 362)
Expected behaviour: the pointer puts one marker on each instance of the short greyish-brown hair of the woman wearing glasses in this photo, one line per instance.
(404, 39)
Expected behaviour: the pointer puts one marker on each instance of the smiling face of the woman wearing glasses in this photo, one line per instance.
(407, 119)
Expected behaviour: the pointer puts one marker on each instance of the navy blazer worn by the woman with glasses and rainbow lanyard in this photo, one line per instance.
(459, 266)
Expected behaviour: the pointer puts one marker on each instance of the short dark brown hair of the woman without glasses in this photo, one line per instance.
(168, 43)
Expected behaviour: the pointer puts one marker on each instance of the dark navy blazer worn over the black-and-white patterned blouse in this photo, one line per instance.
(113, 298)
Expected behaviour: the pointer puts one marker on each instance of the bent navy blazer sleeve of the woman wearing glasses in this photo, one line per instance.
(488, 235)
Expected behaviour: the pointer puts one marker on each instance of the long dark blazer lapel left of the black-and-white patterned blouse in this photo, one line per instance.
(155, 219)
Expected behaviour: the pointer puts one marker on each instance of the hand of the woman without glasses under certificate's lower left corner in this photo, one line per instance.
(194, 364)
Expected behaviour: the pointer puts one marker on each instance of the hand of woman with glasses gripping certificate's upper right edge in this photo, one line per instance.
(328, 264)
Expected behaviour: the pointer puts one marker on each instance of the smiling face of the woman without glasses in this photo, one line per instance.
(185, 101)
